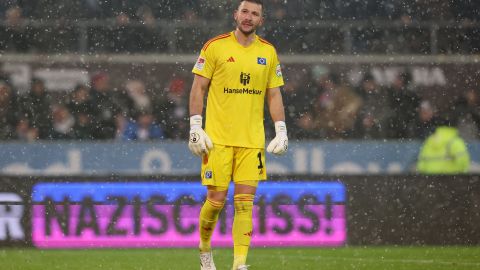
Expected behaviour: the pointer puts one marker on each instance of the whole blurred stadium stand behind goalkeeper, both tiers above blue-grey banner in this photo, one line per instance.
(372, 107)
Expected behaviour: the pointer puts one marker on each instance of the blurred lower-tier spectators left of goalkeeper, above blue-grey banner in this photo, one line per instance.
(95, 112)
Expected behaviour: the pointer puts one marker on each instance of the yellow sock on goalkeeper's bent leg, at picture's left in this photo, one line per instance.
(208, 220)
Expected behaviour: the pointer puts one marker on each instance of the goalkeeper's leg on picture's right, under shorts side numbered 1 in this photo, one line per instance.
(249, 169)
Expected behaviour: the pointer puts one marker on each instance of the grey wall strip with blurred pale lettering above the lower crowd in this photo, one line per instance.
(437, 78)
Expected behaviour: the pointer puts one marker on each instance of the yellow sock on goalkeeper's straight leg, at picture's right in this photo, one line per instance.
(242, 228)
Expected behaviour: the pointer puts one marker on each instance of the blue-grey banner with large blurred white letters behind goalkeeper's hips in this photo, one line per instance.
(174, 158)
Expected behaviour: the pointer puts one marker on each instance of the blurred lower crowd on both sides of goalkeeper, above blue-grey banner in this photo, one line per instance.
(319, 105)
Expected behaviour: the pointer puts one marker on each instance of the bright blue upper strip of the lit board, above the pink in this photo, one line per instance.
(102, 191)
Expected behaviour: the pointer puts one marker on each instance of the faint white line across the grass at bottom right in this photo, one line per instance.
(413, 261)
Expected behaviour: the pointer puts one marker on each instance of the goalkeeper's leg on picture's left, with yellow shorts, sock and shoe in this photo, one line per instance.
(216, 175)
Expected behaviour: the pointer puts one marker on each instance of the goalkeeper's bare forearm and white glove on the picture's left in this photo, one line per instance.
(199, 142)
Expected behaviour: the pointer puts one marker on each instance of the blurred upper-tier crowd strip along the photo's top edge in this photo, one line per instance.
(276, 9)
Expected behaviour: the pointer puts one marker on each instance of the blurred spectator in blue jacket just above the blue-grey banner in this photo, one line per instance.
(143, 128)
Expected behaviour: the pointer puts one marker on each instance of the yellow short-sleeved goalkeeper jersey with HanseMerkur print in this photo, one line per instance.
(239, 78)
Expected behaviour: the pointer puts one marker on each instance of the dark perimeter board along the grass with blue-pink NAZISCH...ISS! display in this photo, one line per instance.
(298, 210)
